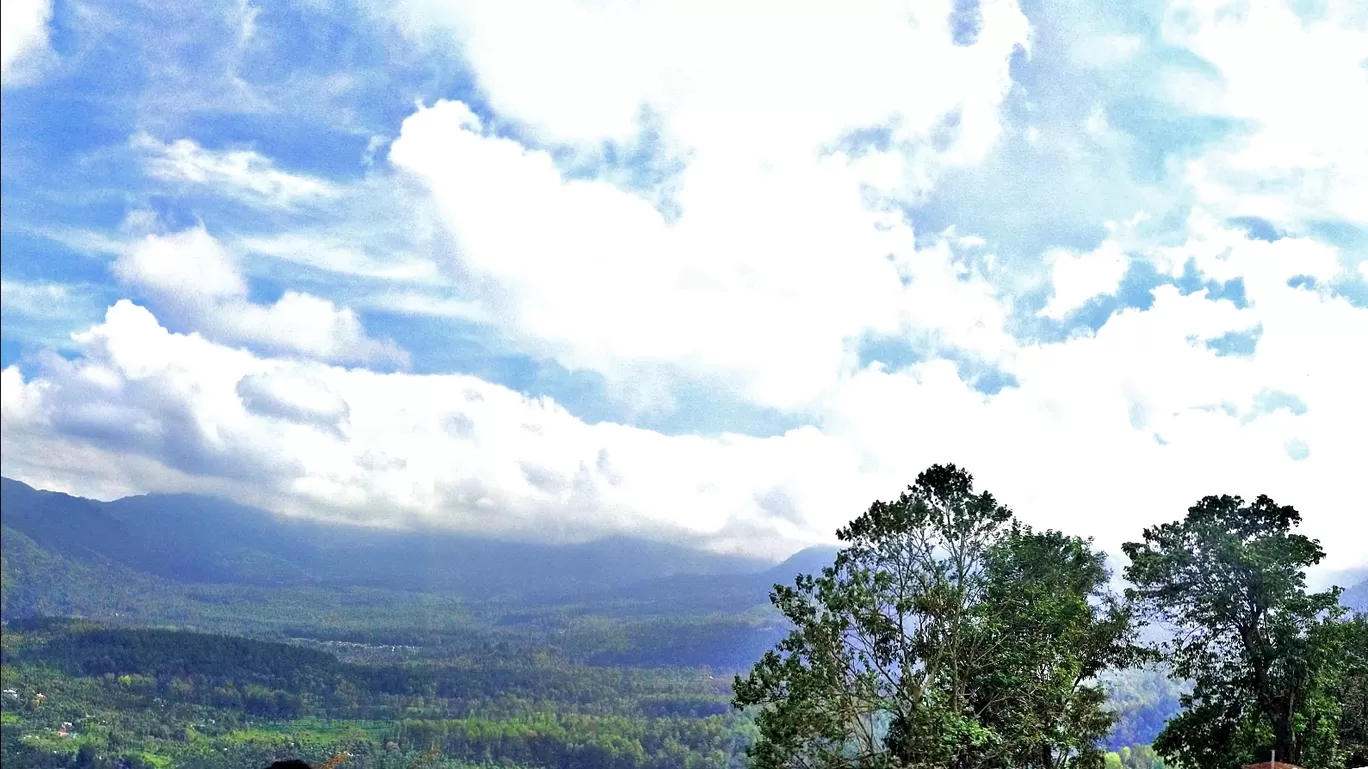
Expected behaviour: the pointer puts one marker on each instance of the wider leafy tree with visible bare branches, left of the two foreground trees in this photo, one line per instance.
(943, 636)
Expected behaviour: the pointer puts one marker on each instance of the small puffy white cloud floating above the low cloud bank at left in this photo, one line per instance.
(200, 284)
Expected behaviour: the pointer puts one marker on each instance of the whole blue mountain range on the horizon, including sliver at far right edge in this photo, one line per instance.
(194, 540)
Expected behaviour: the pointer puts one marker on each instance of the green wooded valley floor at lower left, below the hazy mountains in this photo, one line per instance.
(191, 700)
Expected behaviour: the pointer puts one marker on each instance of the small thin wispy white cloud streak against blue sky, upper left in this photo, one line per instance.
(236, 173)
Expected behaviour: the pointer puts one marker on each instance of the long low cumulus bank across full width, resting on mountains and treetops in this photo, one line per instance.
(1103, 434)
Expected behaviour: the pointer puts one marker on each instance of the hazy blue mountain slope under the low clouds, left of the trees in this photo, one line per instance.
(200, 540)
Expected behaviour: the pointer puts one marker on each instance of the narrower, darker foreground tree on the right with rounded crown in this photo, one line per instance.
(1262, 652)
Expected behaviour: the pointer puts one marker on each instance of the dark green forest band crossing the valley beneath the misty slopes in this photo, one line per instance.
(289, 682)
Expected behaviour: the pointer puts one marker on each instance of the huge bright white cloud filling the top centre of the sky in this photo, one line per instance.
(782, 257)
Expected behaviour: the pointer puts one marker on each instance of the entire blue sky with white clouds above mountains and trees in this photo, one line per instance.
(696, 272)
